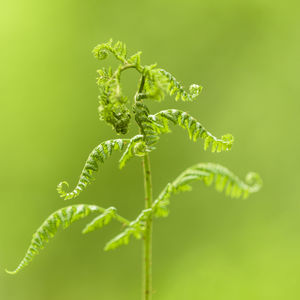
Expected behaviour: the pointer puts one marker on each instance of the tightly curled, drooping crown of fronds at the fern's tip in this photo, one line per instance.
(156, 83)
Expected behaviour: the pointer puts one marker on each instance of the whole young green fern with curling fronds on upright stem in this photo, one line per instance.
(115, 109)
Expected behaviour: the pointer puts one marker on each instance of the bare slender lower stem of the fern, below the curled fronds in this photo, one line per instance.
(147, 294)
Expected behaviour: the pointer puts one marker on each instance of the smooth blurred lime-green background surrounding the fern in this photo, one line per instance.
(245, 54)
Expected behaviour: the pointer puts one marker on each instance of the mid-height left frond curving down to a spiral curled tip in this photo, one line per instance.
(98, 155)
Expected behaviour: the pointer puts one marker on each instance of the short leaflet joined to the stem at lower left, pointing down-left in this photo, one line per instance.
(136, 228)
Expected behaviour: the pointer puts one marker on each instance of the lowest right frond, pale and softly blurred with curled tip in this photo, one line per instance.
(210, 174)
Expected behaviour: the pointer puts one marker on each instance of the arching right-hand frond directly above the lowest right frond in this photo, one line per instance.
(195, 129)
